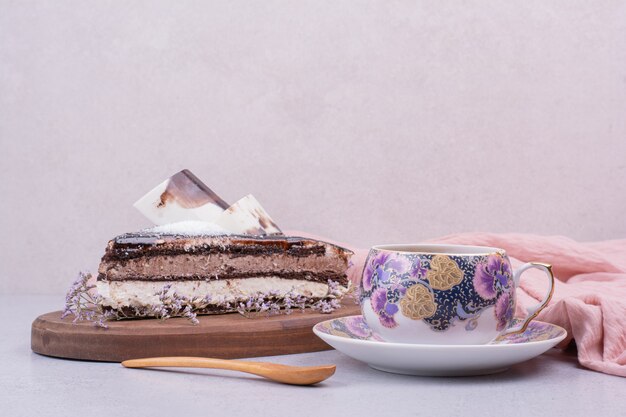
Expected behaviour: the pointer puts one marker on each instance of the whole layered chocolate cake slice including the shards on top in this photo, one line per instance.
(205, 256)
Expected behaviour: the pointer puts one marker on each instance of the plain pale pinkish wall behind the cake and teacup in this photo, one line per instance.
(368, 122)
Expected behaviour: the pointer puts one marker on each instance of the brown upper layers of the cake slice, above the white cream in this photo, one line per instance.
(159, 257)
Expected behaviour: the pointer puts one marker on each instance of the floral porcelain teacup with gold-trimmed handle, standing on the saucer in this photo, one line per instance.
(443, 294)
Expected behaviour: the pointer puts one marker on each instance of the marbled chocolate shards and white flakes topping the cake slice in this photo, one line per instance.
(183, 204)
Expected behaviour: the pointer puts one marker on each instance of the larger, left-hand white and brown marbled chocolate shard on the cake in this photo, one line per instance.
(182, 197)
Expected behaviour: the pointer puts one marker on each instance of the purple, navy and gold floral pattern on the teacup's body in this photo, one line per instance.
(438, 289)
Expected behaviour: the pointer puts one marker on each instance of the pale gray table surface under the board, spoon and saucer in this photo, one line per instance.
(33, 385)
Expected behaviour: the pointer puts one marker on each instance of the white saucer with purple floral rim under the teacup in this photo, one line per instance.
(350, 335)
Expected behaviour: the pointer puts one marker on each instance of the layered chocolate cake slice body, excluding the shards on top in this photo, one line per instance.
(218, 273)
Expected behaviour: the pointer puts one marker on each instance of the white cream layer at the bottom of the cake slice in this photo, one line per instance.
(117, 294)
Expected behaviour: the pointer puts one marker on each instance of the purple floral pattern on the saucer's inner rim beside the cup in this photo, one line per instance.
(354, 327)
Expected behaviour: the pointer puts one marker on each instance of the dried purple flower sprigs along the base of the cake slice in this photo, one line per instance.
(86, 305)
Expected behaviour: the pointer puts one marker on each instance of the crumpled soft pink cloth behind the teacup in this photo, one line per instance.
(589, 299)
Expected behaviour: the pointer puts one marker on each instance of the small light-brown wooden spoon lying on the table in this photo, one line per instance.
(295, 375)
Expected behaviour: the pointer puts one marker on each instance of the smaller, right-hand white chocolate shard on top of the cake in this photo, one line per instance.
(247, 217)
